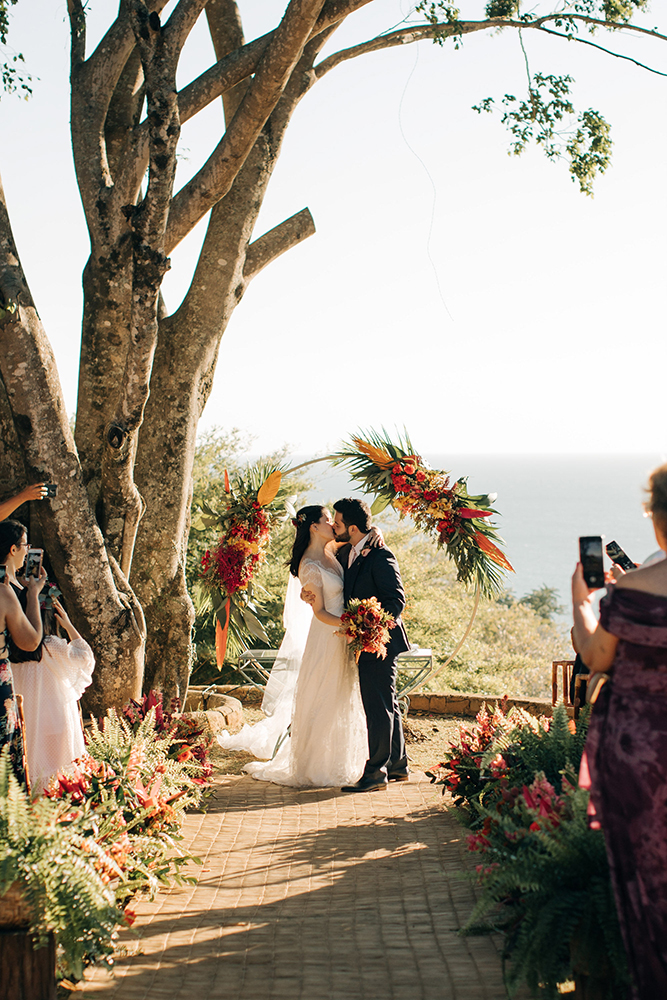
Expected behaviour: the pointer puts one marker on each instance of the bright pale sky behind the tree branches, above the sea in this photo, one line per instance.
(476, 298)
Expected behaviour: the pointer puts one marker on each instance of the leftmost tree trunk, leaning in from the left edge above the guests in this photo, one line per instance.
(98, 598)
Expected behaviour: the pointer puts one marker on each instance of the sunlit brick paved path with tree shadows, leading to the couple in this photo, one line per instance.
(312, 895)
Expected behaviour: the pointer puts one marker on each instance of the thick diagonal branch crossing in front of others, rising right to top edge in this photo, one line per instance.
(217, 175)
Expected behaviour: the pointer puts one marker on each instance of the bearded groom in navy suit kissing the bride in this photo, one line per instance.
(373, 572)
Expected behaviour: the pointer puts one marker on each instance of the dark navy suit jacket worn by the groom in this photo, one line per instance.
(377, 575)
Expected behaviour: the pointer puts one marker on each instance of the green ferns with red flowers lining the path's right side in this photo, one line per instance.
(543, 874)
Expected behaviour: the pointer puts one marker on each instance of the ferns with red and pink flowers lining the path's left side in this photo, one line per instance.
(105, 832)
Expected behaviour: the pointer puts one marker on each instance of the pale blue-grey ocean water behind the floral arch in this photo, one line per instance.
(545, 503)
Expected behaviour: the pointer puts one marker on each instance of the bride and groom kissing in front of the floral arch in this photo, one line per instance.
(345, 726)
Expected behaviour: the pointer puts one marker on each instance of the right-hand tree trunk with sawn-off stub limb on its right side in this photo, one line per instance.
(183, 369)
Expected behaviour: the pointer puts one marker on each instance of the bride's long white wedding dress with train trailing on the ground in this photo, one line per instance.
(315, 683)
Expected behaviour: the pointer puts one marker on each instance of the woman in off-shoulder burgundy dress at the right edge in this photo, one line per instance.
(626, 749)
